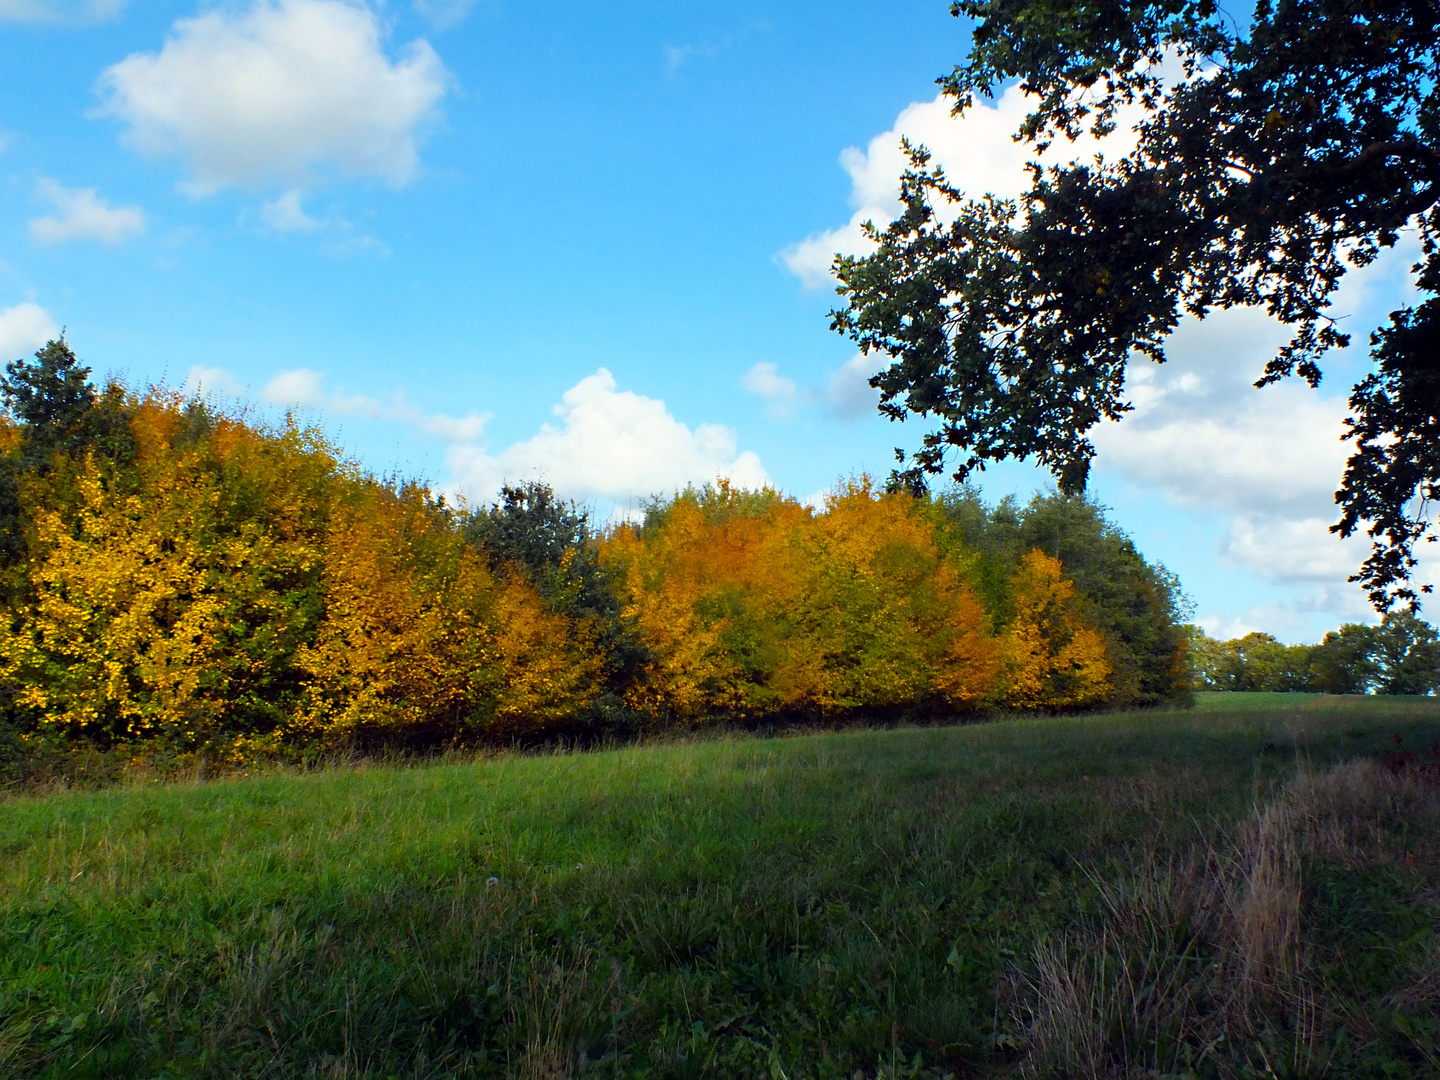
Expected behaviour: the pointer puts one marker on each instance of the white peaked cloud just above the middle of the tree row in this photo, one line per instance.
(610, 444)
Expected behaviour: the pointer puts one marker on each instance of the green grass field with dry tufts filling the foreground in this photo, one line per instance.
(918, 902)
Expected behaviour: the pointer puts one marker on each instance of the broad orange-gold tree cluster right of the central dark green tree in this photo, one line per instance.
(754, 604)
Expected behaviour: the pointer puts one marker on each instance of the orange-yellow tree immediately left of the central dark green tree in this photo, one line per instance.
(418, 634)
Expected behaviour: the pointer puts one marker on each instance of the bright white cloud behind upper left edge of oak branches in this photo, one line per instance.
(977, 152)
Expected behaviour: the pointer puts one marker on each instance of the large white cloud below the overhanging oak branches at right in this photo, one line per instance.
(1268, 462)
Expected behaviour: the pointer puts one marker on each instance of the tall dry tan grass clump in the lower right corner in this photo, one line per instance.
(1202, 964)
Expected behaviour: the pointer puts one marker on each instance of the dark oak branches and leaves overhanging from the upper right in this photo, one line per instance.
(1272, 158)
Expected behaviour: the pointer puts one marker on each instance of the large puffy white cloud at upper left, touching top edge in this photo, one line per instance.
(277, 93)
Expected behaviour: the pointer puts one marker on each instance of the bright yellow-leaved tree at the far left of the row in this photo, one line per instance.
(152, 606)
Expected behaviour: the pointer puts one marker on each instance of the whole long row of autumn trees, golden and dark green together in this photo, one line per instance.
(176, 577)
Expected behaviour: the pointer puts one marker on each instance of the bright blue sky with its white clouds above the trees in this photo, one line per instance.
(482, 241)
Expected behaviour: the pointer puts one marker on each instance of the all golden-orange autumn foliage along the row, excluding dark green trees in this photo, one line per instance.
(235, 588)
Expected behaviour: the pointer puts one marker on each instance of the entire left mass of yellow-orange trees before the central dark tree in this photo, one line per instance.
(222, 584)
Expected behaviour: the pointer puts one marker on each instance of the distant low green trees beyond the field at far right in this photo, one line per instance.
(1402, 656)
